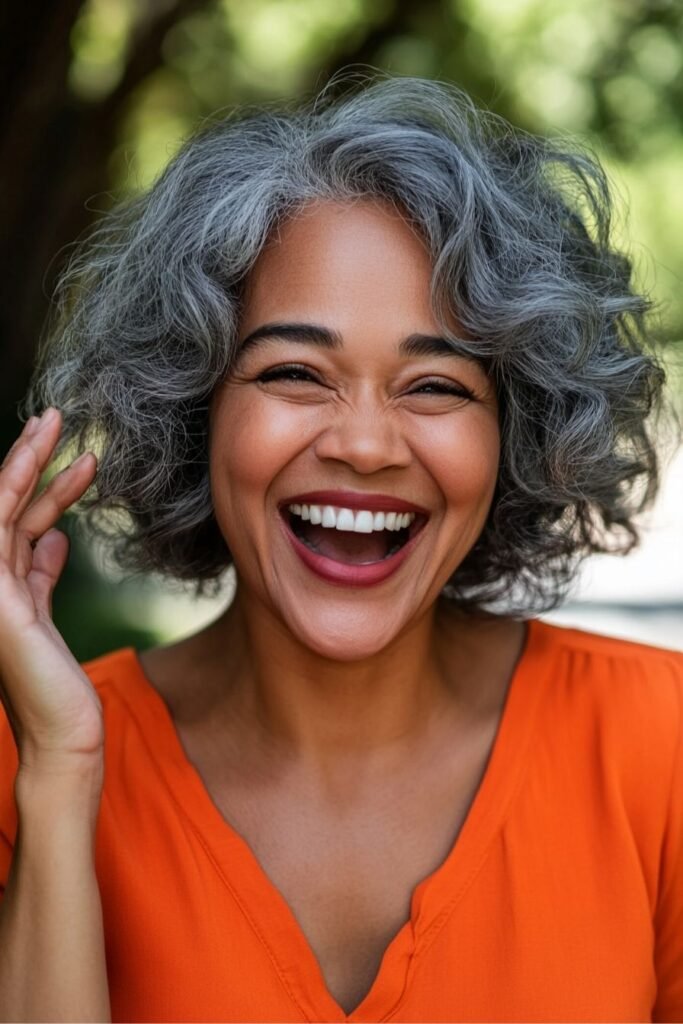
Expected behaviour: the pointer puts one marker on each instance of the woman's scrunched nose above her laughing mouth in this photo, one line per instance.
(366, 437)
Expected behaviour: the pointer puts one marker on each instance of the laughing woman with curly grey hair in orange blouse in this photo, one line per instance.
(379, 356)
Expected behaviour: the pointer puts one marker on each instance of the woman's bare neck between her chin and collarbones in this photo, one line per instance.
(313, 707)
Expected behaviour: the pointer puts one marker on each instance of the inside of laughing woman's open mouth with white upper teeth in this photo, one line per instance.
(352, 538)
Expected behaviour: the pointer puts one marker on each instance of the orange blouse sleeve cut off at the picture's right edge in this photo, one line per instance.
(669, 914)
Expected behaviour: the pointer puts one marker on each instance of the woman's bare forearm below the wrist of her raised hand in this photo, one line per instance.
(53, 965)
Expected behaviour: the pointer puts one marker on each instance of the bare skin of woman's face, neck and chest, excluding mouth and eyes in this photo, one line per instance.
(344, 731)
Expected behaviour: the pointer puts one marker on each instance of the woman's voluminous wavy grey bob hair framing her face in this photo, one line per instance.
(519, 228)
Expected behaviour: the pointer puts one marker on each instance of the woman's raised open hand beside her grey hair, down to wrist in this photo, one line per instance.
(54, 710)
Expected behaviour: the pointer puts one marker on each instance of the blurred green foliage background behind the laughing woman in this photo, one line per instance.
(98, 96)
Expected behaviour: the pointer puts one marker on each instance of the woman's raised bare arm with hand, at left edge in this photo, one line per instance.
(53, 965)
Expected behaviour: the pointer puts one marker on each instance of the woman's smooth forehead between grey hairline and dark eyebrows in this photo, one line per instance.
(341, 264)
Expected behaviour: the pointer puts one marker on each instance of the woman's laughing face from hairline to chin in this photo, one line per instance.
(338, 394)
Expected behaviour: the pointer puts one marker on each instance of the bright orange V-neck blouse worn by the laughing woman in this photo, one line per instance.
(562, 900)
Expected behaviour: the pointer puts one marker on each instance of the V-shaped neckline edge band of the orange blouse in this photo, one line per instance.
(434, 900)
